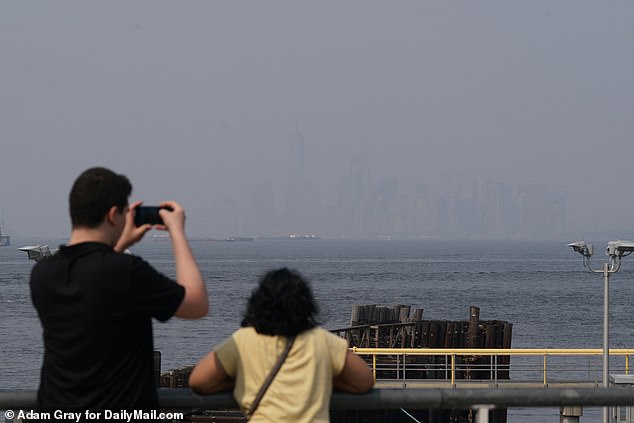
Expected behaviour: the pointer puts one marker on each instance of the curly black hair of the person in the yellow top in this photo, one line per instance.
(282, 304)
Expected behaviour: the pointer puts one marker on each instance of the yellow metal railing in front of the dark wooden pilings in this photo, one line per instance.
(531, 365)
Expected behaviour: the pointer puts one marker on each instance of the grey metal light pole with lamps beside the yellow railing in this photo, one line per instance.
(615, 251)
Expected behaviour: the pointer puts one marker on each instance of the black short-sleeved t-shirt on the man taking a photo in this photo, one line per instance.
(96, 308)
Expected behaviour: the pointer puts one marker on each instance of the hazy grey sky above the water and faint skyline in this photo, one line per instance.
(346, 118)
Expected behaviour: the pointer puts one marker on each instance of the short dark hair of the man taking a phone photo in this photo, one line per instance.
(94, 192)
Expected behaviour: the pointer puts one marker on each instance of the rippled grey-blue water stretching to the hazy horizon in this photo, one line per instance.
(540, 287)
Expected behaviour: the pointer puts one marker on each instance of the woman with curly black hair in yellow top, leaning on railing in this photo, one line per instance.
(281, 315)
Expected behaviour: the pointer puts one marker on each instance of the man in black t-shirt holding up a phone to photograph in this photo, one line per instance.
(96, 303)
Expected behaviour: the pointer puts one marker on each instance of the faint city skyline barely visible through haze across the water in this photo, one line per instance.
(369, 206)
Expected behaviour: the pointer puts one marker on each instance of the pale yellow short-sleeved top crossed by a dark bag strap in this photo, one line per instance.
(302, 388)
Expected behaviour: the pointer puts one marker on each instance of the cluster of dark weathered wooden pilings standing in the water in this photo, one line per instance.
(402, 326)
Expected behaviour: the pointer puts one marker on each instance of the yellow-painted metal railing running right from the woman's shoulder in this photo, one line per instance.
(452, 364)
